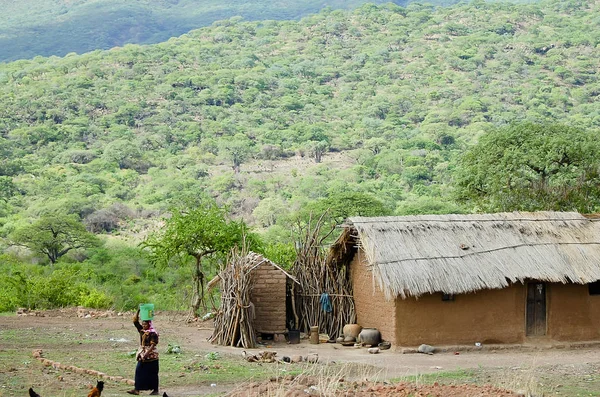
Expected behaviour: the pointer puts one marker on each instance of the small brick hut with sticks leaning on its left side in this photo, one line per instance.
(253, 300)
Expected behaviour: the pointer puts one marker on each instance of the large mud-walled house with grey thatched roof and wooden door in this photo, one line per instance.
(488, 278)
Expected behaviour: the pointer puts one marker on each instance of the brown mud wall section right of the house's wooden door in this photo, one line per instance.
(572, 313)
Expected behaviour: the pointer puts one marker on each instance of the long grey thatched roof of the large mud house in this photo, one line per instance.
(415, 255)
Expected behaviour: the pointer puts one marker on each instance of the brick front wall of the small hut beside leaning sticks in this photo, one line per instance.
(268, 296)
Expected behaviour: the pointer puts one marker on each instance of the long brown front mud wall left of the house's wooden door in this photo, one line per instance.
(488, 317)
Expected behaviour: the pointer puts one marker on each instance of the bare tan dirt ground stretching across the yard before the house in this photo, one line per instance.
(555, 369)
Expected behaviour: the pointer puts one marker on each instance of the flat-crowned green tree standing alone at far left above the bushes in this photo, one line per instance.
(54, 235)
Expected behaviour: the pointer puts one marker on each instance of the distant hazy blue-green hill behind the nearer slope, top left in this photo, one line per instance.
(29, 28)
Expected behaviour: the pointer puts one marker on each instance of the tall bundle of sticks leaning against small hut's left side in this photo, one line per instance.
(233, 322)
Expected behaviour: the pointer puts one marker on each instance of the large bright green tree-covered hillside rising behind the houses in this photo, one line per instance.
(271, 116)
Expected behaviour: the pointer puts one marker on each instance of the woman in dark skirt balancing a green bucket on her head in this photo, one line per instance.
(146, 371)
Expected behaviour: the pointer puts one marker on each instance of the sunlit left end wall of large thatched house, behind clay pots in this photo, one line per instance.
(372, 309)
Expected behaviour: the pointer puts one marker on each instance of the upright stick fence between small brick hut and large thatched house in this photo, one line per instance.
(315, 278)
